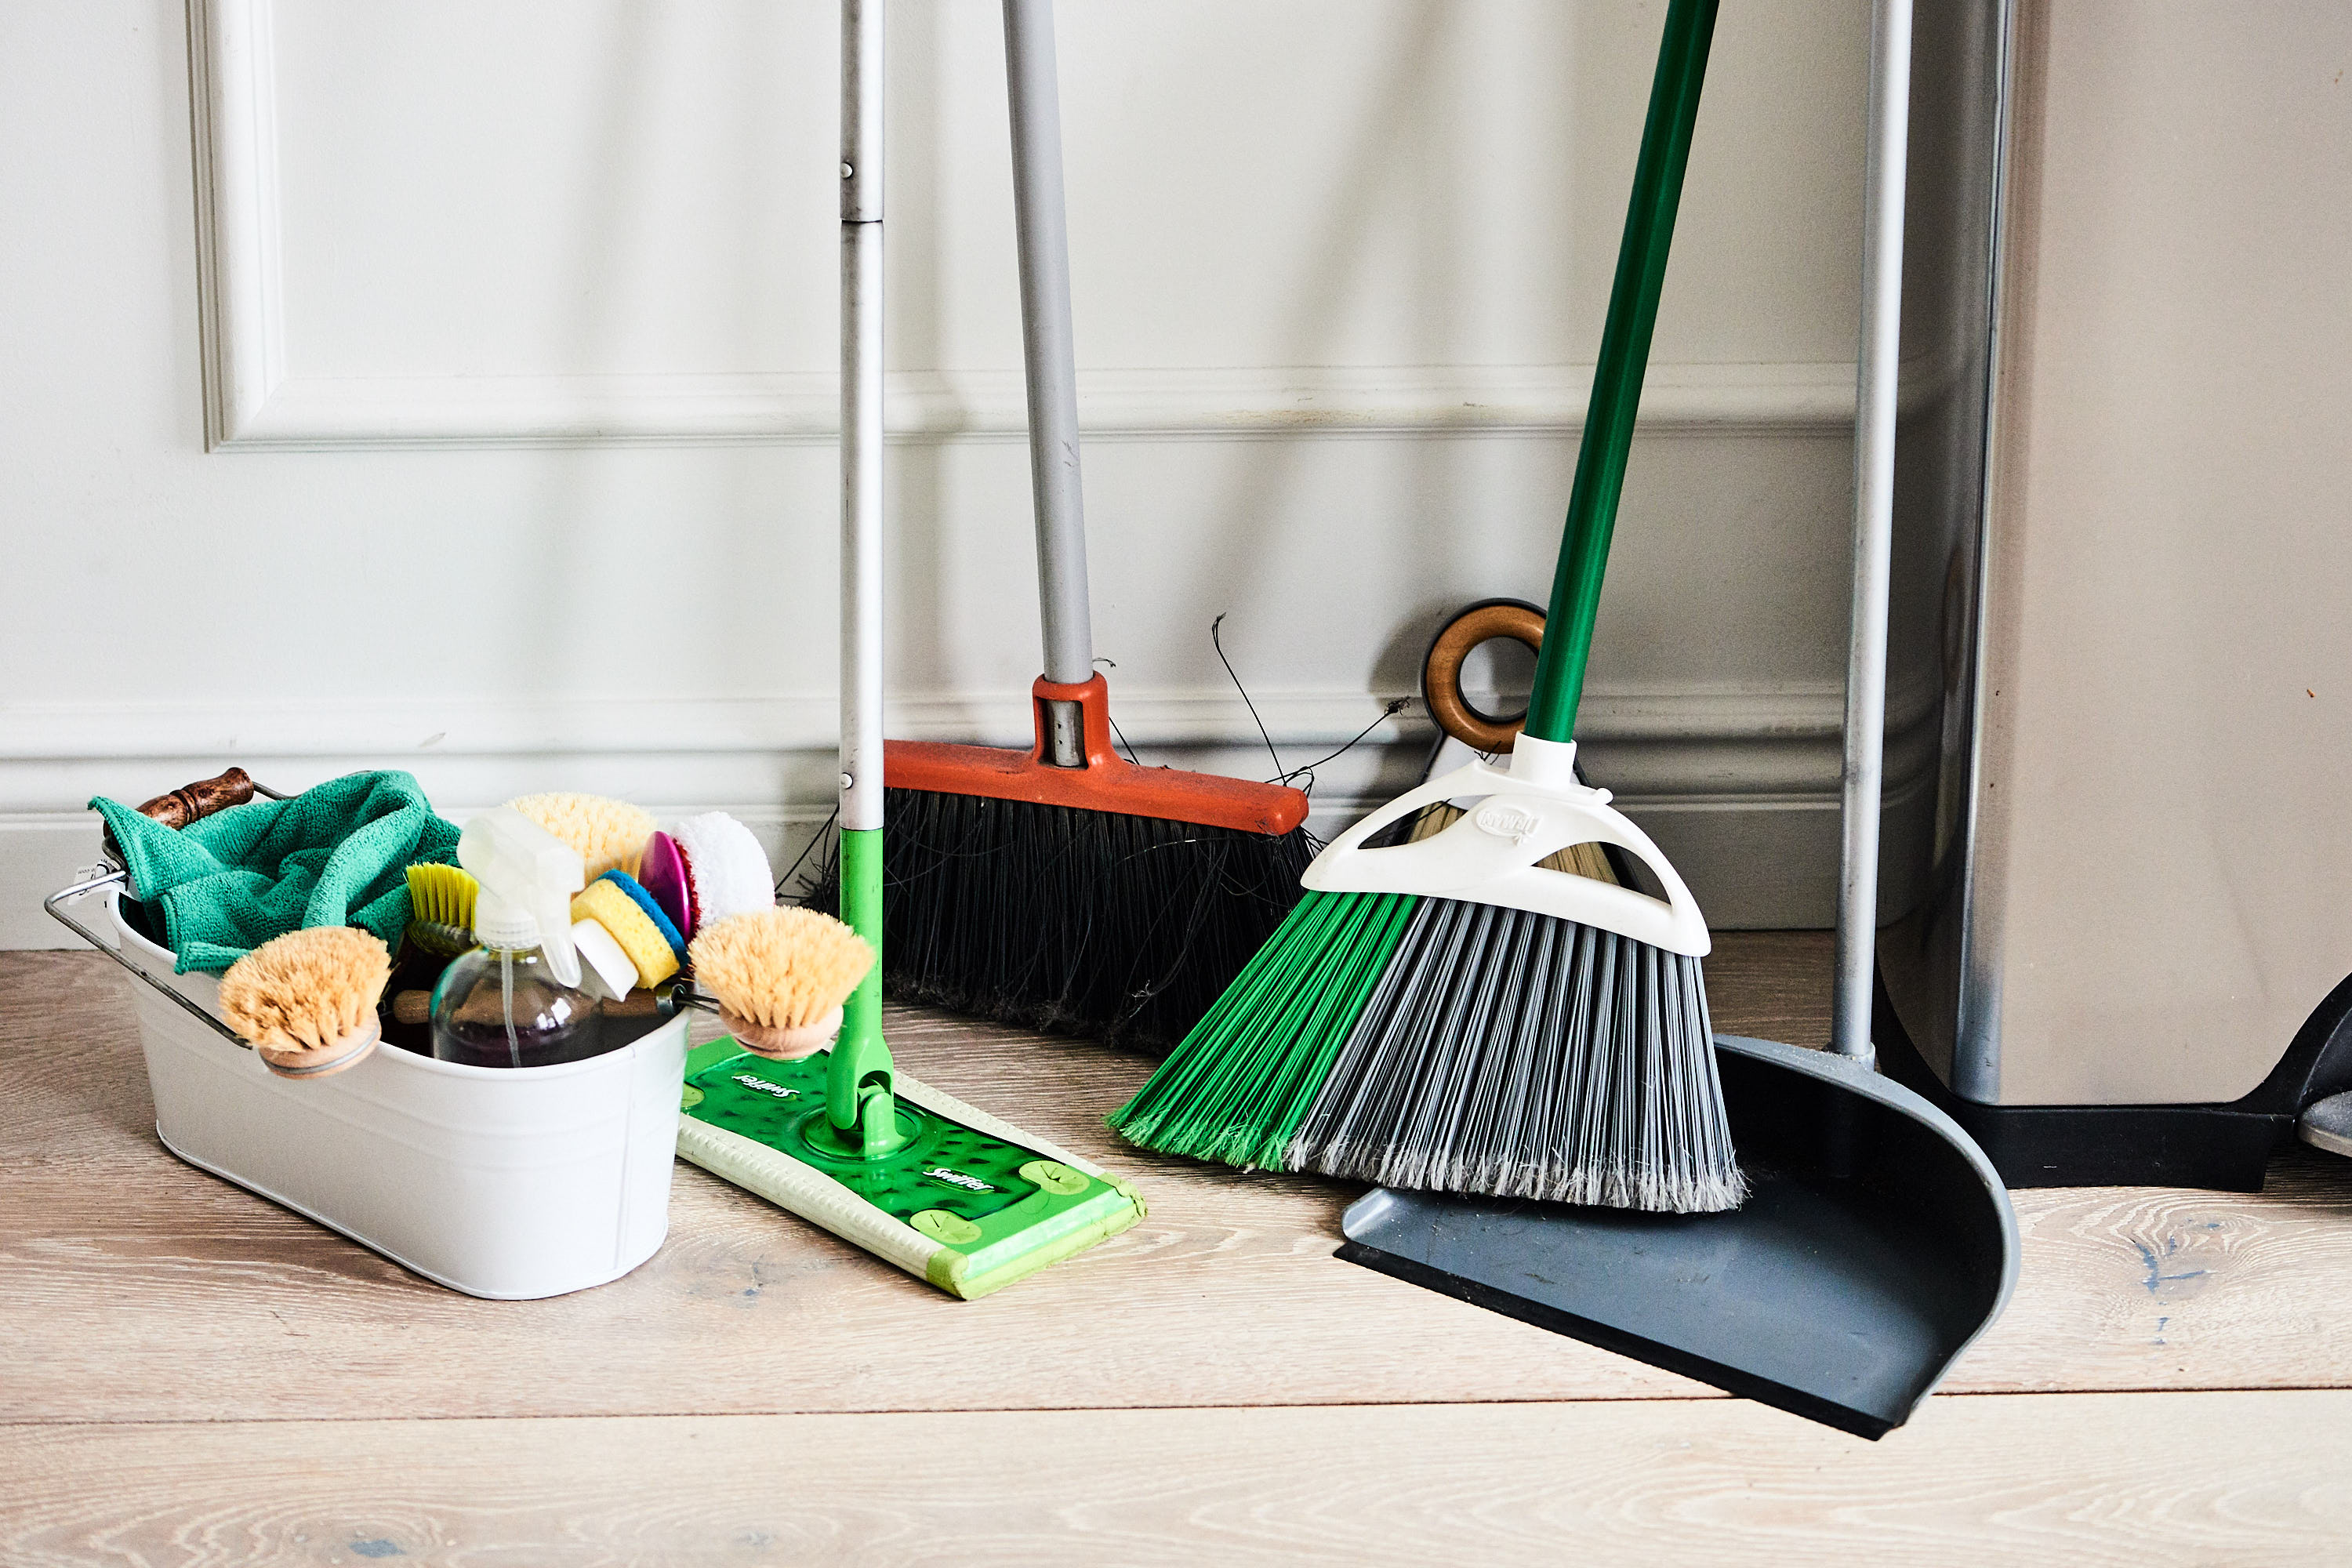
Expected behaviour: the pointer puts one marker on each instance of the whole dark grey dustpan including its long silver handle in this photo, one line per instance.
(1878, 1242)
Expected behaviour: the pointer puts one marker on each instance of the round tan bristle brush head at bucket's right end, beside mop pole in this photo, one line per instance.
(782, 977)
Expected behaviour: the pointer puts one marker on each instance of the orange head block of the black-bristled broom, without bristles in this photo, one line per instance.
(1107, 784)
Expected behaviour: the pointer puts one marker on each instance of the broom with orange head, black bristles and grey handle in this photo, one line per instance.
(1071, 890)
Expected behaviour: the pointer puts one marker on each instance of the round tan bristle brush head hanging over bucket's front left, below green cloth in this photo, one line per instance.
(307, 1000)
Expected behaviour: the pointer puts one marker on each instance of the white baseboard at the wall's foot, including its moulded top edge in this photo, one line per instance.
(1737, 786)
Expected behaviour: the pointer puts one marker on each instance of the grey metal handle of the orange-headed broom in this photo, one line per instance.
(1048, 344)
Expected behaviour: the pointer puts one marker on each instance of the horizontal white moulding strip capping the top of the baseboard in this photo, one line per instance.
(1659, 744)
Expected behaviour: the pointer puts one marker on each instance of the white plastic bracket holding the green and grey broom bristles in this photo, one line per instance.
(1495, 855)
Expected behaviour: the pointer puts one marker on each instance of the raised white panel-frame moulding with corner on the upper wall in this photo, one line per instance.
(255, 403)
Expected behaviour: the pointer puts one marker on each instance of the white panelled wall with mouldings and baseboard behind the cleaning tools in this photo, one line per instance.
(450, 387)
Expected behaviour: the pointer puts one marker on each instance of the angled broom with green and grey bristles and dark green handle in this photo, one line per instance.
(1452, 1014)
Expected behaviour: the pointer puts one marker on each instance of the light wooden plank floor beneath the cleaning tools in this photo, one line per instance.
(189, 1374)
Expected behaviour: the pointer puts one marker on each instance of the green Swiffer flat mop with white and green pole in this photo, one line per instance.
(914, 1177)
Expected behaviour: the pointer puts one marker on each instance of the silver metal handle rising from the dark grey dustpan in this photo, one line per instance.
(1873, 525)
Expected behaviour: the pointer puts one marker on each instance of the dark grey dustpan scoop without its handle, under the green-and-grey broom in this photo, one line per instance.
(1876, 1247)
